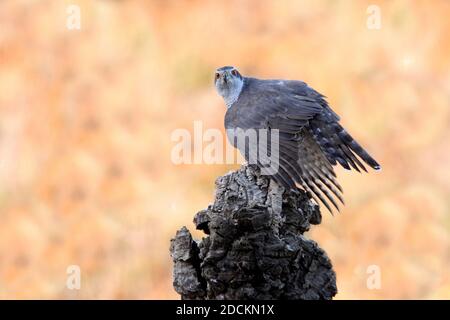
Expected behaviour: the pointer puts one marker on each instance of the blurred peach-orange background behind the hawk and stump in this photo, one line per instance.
(86, 117)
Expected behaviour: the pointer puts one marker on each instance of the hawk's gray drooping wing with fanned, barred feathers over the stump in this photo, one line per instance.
(287, 106)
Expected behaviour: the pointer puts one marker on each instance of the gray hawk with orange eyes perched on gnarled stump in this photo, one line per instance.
(310, 139)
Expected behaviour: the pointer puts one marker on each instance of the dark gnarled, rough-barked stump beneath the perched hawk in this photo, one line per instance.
(255, 248)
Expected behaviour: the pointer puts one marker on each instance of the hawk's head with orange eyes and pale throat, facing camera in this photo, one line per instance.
(228, 83)
